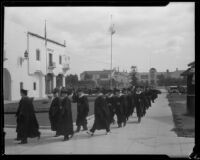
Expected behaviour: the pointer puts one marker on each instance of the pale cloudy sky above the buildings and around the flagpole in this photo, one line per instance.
(159, 37)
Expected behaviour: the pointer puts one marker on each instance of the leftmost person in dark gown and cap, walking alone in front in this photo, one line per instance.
(27, 124)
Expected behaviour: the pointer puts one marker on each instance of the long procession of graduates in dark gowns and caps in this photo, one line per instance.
(110, 107)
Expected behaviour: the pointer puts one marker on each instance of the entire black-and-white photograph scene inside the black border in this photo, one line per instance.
(99, 80)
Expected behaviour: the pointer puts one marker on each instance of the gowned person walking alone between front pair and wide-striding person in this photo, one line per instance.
(82, 110)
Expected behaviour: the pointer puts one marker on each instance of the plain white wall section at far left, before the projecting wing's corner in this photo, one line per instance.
(15, 46)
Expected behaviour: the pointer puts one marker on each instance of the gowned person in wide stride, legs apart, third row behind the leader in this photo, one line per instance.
(101, 115)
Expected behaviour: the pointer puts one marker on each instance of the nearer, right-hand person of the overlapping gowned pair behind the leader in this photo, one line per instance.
(65, 122)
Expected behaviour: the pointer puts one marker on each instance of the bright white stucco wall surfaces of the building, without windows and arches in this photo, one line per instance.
(15, 44)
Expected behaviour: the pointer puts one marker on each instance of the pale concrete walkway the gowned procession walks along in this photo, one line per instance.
(152, 136)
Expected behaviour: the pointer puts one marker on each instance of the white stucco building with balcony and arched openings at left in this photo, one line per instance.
(44, 68)
